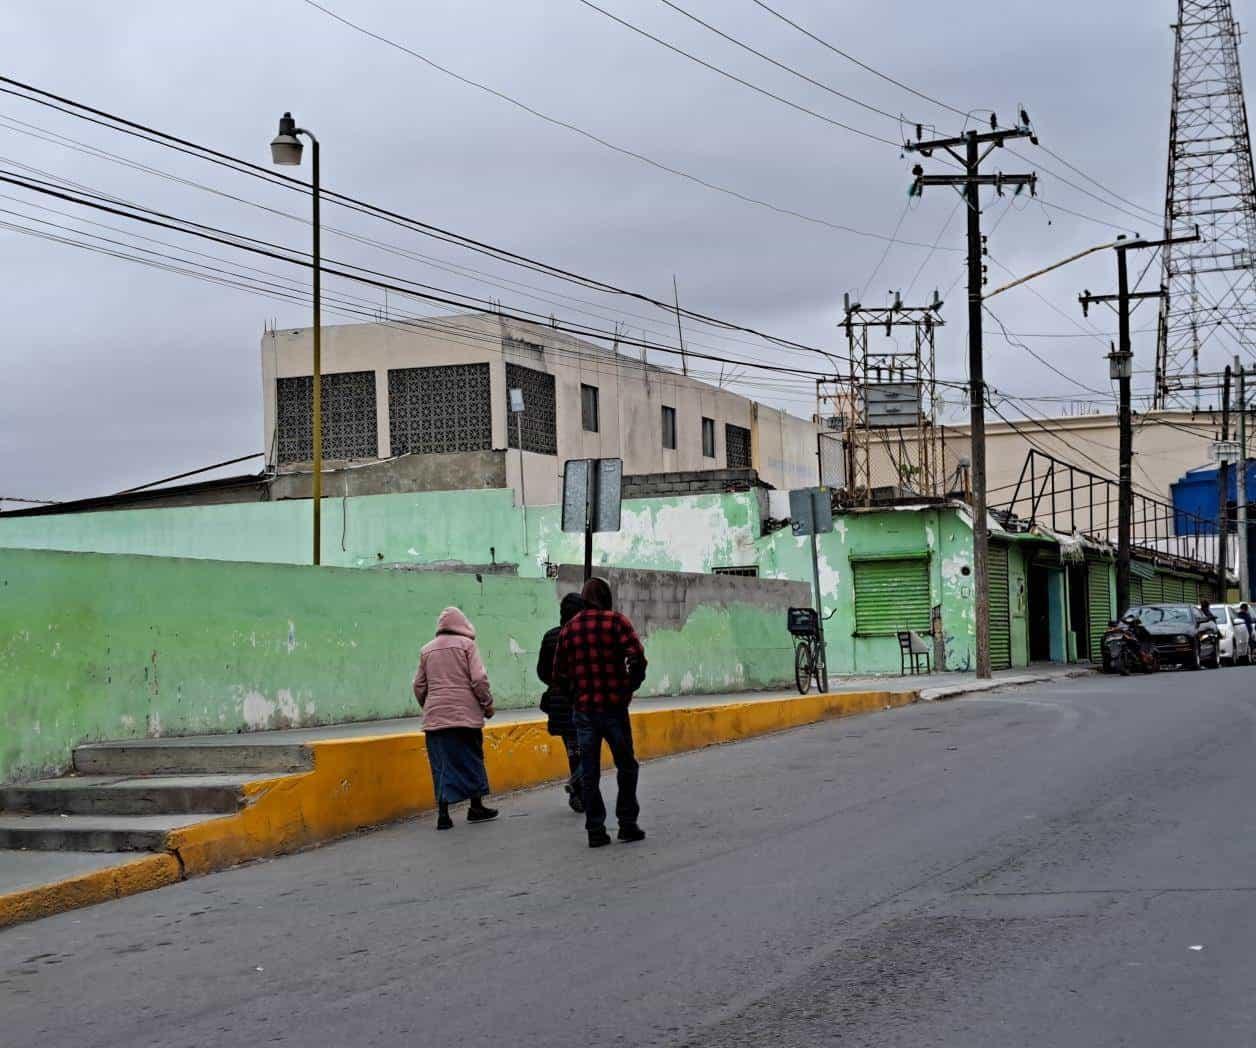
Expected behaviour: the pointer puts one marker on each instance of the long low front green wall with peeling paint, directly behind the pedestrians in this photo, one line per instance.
(100, 647)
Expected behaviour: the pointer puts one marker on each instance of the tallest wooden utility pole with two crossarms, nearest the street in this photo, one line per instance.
(972, 180)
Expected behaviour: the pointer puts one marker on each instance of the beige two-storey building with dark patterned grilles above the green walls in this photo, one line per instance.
(441, 389)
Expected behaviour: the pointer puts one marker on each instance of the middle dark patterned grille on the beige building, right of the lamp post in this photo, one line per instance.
(439, 410)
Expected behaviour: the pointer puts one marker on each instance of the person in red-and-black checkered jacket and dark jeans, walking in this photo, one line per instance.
(601, 663)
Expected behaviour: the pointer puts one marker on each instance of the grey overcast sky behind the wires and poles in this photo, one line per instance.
(119, 374)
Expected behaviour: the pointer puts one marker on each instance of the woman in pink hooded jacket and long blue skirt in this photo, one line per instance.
(453, 688)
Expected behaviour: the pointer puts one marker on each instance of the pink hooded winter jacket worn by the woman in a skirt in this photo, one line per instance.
(452, 684)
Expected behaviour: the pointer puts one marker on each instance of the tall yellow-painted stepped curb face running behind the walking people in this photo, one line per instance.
(364, 782)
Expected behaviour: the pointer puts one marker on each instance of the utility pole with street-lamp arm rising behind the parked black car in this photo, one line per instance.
(1122, 369)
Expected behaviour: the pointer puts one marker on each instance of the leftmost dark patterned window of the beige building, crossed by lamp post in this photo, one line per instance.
(349, 417)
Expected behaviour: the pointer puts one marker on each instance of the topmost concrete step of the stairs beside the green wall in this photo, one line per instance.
(222, 756)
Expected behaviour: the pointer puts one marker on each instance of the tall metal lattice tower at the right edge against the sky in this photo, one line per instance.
(1211, 302)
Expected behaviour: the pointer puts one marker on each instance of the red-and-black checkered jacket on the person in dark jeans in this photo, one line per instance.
(601, 660)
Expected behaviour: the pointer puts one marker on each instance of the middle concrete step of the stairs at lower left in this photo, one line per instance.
(115, 796)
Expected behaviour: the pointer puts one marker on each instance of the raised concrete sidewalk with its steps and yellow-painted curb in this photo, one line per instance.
(295, 789)
